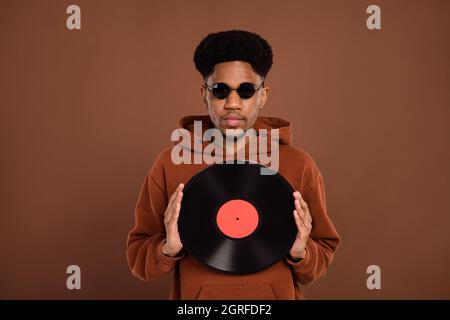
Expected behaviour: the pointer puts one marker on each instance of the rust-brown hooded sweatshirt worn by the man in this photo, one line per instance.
(192, 280)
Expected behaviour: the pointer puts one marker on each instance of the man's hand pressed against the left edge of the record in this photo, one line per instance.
(173, 244)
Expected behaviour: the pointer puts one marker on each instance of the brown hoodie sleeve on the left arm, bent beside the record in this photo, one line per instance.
(145, 240)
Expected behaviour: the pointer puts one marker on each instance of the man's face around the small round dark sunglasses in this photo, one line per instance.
(233, 112)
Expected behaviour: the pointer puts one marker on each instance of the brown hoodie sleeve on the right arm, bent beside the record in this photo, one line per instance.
(323, 239)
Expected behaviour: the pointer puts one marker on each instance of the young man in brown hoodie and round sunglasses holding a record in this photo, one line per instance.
(234, 65)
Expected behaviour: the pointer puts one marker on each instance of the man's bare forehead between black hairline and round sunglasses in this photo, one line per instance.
(233, 73)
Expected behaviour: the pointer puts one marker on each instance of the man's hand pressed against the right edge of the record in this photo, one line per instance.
(304, 224)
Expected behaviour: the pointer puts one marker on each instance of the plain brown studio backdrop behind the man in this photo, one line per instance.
(84, 113)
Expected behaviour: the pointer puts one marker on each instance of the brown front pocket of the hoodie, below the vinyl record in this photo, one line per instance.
(261, 291)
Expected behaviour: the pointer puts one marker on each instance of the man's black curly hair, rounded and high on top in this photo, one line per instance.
(233, 45)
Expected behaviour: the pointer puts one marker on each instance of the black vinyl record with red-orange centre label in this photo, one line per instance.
(235, 220)
